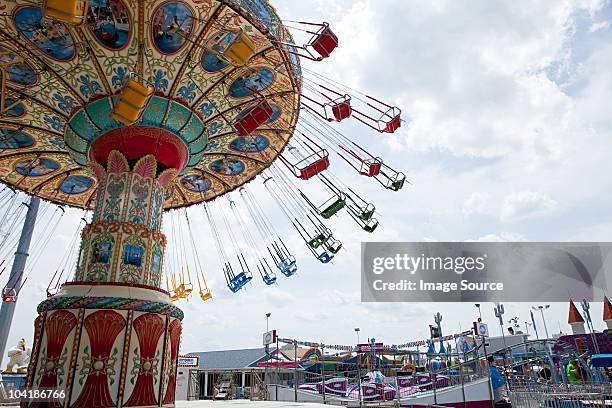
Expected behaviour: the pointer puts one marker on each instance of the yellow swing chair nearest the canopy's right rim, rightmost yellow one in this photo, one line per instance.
(233, 46)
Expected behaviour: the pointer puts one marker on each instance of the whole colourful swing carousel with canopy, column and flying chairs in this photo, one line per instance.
(130, 109)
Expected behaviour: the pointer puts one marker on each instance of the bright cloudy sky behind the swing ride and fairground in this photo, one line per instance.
(507, 138)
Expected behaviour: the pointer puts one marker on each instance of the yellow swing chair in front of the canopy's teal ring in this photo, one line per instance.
(132, 101)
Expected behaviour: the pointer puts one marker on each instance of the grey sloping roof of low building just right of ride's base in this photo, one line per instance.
(231, 359)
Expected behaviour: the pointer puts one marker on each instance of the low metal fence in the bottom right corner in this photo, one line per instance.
(561, 396)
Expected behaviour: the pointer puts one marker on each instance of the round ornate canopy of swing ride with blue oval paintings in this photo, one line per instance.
(62, 82)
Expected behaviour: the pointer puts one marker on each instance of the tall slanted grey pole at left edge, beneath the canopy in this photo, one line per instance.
(7, 310)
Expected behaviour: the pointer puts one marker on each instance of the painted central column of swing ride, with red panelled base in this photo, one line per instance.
(110, 338)
